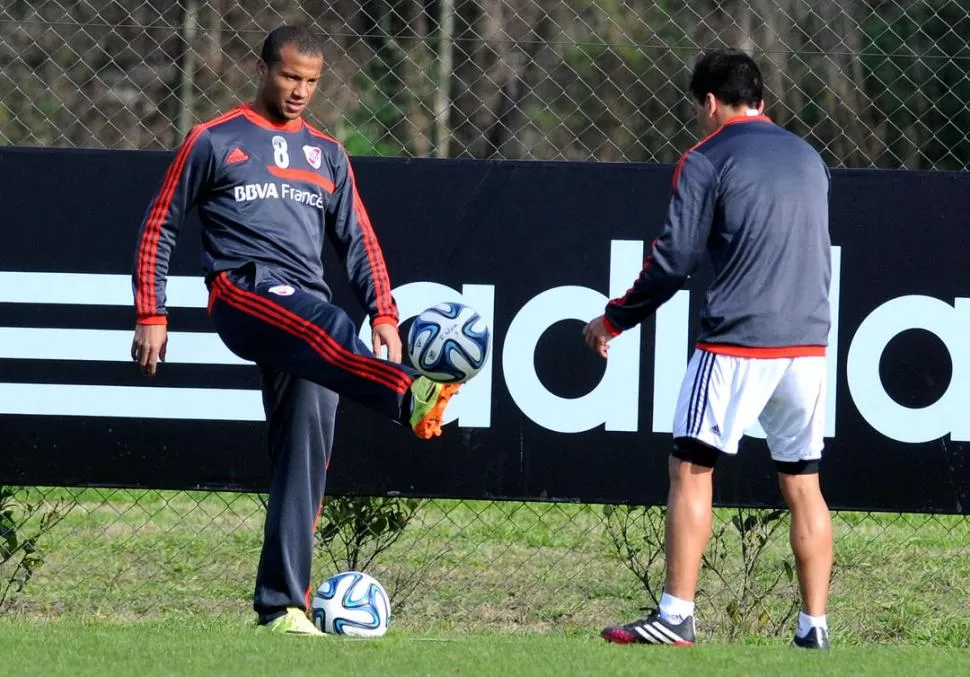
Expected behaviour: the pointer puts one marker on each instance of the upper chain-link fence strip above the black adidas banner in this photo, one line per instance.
(871, 83)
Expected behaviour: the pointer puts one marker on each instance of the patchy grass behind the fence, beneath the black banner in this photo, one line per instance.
(473, 567)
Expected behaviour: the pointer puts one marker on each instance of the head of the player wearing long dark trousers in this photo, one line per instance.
(289, 69)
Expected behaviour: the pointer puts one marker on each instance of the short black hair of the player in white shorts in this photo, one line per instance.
(730, 75)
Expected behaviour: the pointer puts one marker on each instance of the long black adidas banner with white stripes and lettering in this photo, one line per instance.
(537, 248)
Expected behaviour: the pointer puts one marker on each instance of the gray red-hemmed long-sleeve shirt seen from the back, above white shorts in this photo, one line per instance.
(755, 197)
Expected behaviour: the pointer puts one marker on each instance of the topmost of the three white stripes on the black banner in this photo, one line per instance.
(94, 290)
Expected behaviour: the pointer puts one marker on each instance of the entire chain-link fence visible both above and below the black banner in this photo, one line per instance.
(871, 83)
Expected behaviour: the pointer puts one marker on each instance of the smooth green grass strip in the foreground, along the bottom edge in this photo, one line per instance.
(154, 648)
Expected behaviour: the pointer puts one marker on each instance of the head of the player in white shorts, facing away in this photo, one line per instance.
(725, 83)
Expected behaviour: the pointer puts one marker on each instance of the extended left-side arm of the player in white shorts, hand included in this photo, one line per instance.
(673, 257)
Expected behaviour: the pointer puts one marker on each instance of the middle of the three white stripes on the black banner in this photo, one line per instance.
(102, 345)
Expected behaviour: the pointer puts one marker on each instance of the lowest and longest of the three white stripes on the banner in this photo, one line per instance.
(212, 404)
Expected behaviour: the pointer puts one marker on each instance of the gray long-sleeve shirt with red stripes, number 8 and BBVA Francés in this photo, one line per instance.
(268, 194)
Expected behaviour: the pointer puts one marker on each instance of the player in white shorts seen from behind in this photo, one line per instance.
(755, 198)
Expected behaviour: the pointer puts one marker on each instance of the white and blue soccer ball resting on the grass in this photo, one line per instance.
(353, 604)
